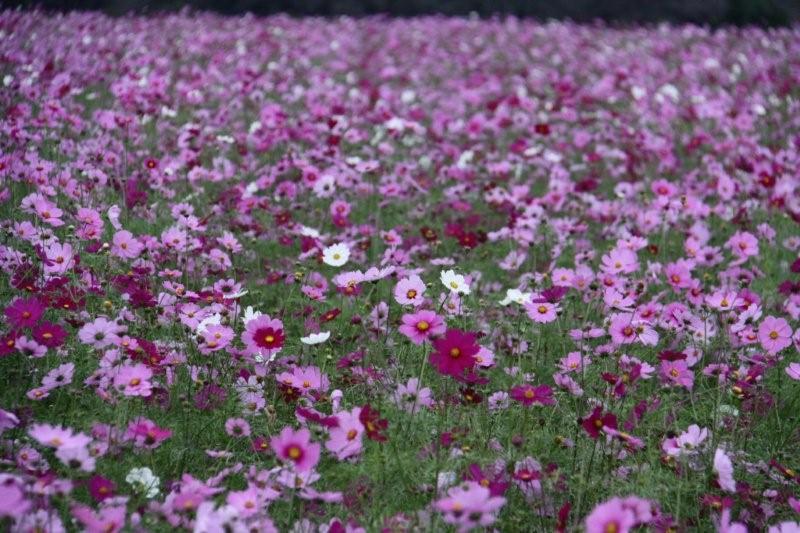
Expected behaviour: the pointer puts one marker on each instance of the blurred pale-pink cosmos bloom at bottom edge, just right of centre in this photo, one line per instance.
(469, 505)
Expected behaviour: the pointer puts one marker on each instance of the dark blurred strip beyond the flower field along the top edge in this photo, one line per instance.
(712, 12)
